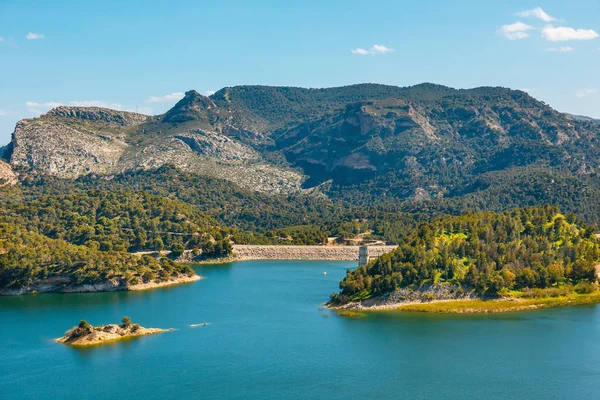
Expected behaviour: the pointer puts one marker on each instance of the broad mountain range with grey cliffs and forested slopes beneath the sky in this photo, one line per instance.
(360, 143)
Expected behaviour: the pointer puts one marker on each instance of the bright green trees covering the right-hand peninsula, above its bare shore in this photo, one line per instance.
(488, 253)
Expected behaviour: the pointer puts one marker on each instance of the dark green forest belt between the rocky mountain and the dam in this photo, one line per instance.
(254, 218)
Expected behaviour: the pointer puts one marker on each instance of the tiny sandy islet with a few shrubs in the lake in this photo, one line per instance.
(85, 334)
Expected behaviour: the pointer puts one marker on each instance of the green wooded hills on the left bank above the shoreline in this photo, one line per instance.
(84, 238)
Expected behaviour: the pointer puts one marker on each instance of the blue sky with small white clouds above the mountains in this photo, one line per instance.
(143, 54)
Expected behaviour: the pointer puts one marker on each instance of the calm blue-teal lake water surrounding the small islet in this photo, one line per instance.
(269, 338)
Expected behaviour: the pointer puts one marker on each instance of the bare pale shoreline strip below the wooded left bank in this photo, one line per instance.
(57, 285)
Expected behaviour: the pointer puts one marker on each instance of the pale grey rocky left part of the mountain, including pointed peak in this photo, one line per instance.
(69, 142)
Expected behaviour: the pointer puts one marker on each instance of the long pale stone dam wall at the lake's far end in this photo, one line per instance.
(332, 253)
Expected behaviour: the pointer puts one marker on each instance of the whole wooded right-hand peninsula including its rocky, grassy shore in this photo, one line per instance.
(522, 259)
